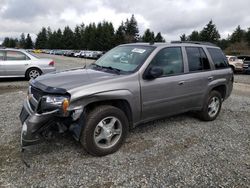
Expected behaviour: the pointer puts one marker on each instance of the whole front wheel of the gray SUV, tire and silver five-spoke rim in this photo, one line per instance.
(105, 130)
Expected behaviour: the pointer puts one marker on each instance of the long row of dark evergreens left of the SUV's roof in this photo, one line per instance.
(101, 36)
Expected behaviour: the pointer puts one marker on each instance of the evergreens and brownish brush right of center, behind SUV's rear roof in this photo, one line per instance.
(236, 43)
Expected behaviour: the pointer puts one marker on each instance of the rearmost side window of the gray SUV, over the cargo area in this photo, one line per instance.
(219, 59)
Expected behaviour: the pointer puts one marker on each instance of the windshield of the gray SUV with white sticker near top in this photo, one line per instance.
(123, 59)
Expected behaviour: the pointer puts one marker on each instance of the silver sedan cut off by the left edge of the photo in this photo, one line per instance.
(20, 63)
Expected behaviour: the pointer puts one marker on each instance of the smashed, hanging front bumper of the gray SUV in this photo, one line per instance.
(35, 126)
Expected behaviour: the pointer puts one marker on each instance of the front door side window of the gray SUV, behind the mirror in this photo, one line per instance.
(170, 60)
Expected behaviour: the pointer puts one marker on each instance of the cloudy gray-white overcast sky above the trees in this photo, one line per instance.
(170, 17)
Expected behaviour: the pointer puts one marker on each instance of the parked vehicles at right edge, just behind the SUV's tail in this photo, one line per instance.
(239, 63)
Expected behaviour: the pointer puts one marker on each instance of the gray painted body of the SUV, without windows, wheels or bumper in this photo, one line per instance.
(148, 99)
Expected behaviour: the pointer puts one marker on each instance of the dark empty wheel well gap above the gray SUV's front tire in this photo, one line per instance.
(118, 103)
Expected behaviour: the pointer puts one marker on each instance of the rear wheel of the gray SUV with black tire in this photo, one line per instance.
(205, 114)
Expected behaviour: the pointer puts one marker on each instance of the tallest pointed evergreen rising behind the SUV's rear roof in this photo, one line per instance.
(209, 33)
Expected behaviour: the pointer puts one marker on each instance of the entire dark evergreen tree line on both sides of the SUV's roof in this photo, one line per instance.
(103, 36)
